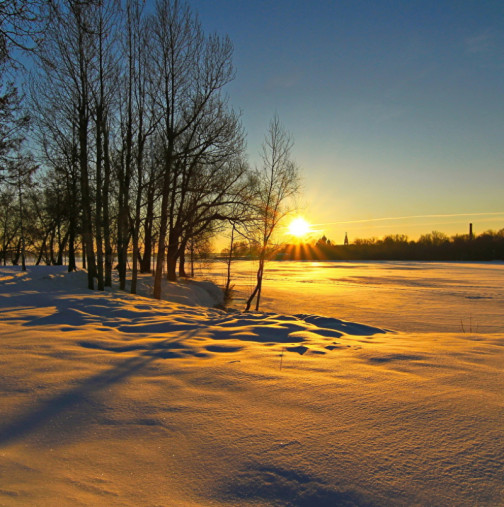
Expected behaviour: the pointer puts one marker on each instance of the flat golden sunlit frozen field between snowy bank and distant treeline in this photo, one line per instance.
(404, 296)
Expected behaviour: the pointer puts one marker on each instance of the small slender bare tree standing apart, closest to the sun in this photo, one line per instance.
(276, 182)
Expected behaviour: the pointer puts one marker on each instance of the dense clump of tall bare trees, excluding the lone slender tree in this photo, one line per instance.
(132, 116)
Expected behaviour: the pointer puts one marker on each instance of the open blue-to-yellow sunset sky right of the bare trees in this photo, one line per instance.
(396, 107)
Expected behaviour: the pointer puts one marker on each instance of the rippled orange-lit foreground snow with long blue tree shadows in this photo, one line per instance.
(113, 399)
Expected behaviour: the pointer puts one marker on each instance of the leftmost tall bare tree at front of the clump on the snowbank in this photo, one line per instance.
(70, 61)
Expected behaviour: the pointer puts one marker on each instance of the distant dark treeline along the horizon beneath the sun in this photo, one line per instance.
(433, 246)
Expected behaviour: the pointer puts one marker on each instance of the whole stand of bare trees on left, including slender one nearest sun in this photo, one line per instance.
(140, 155)
